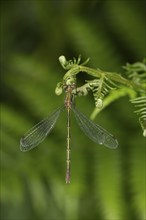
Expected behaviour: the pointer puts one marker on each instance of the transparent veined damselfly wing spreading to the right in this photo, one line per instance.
(93, 131)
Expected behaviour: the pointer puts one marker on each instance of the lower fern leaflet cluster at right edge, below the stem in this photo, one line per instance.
(140, 103)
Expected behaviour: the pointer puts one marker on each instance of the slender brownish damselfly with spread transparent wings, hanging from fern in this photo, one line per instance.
(39, 132)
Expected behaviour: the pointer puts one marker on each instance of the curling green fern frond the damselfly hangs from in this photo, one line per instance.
(102, 86)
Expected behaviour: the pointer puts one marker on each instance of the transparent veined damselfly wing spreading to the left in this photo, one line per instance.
(39, 132)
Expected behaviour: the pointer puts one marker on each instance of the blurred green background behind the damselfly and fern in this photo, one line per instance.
(105, 184)
